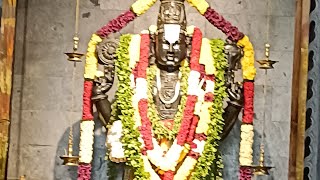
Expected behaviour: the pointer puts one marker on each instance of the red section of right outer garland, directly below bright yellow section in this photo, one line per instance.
(248, 102)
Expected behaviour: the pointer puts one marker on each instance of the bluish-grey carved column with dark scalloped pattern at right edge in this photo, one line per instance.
(312, 134)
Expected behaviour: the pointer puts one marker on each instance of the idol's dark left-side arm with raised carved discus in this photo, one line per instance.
(106, 51)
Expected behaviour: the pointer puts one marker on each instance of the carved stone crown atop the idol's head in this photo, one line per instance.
(172, 12)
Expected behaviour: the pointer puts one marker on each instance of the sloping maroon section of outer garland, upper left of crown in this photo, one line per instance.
(116, 24)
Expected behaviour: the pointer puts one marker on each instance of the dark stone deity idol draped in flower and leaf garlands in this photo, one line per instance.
(168, 116)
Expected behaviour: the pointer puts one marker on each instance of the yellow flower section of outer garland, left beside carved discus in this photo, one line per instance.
(91, 58)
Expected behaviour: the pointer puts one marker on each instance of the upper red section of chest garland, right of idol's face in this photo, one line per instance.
(196, 49)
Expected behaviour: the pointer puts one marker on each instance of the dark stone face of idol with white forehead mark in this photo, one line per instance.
(171, 46)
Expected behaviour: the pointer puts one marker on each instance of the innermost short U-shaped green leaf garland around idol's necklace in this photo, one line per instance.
(159, 129)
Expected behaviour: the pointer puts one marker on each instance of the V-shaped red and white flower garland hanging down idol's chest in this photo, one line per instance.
(150, 147)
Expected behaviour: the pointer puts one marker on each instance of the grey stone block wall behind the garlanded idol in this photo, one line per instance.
(42, 94)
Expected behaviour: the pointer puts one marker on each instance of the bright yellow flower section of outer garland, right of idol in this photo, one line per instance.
(247, 62)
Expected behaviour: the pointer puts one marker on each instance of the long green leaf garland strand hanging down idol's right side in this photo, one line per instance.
(210, 153)
